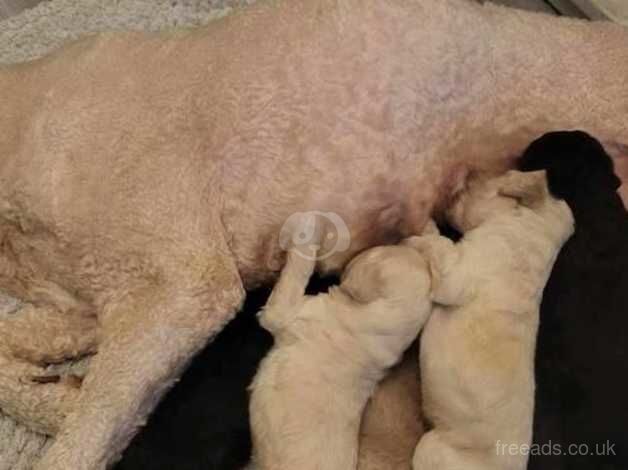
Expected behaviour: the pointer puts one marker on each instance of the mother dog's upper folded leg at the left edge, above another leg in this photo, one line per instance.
(46, 335)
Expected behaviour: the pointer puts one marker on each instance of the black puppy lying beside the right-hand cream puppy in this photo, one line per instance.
(582, 347)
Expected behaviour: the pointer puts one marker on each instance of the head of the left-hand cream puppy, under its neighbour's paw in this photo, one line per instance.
(387, 272)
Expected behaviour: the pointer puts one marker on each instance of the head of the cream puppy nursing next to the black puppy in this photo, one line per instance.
(485, 197)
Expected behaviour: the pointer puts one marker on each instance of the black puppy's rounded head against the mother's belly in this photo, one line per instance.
(576, 164)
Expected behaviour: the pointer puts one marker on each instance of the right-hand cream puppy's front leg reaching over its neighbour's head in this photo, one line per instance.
(450, 283)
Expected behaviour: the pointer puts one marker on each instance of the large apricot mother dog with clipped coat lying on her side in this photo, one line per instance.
(144, 178)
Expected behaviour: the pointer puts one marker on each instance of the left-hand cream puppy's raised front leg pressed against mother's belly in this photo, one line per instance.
(289, 291)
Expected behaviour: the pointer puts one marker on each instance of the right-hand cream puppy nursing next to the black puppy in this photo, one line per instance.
(477, 348)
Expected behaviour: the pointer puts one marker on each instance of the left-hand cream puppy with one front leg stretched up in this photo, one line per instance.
(330, 352)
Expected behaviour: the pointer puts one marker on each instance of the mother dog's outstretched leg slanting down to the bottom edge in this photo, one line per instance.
(149, 335)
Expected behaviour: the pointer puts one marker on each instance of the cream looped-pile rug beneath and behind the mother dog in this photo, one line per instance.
(32, 34)
